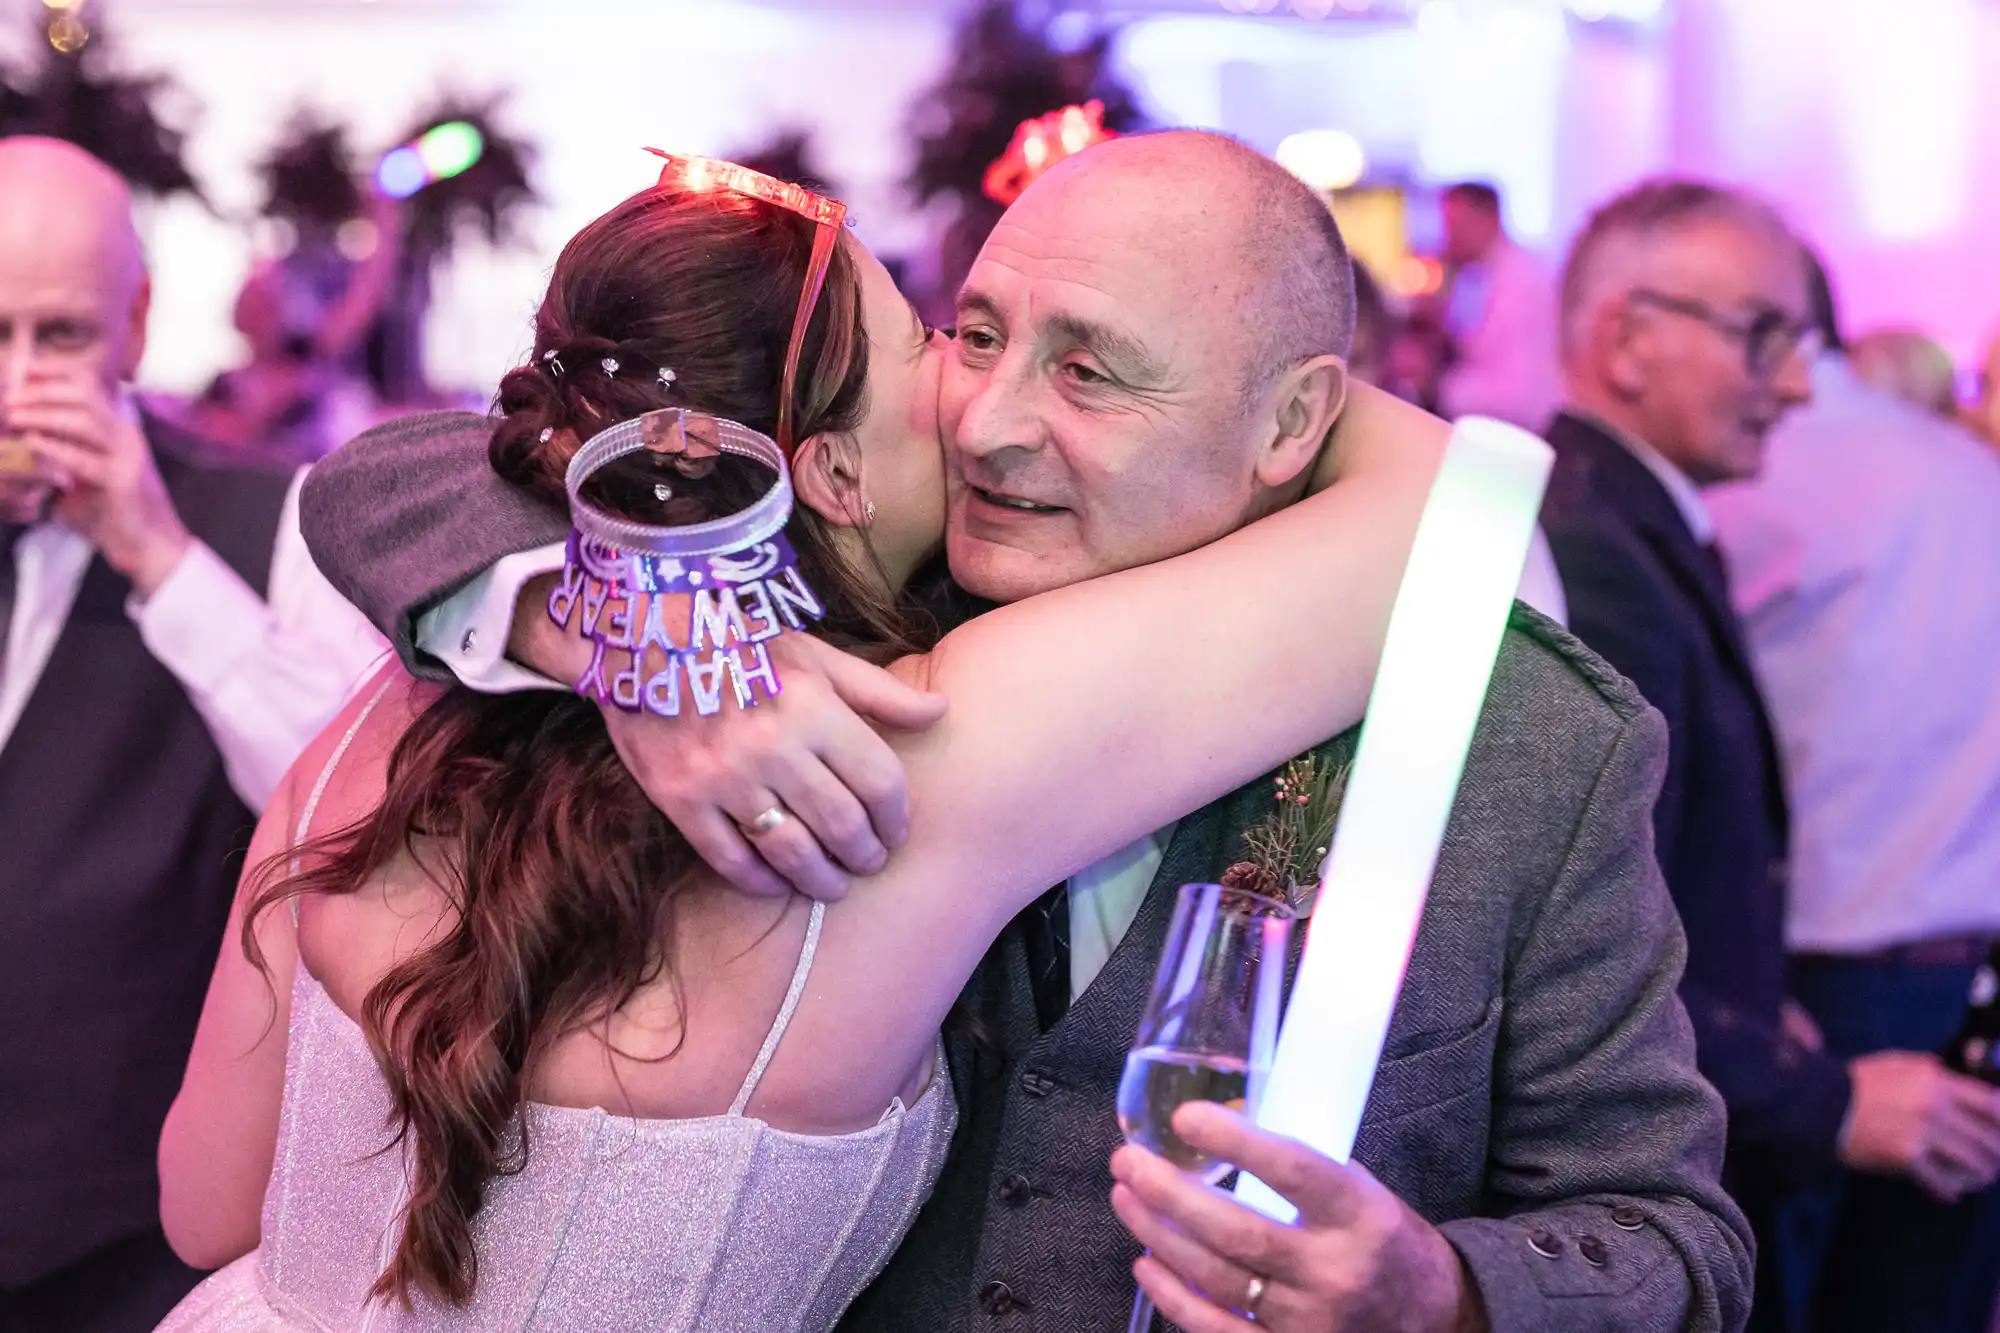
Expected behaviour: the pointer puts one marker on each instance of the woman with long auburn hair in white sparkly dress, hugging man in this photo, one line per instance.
(493, 1050)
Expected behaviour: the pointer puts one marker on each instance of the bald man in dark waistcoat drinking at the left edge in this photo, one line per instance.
(167, 649)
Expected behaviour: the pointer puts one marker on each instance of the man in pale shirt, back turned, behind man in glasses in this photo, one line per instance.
(1851, 553)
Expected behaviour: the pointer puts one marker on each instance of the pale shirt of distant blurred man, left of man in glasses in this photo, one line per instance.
(1505, 321)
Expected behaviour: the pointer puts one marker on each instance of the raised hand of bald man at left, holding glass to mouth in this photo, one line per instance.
(71, 453)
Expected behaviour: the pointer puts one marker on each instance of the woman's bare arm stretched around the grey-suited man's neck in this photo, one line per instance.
(1087, 718)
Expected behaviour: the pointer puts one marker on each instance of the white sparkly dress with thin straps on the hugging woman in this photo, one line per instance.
(715, 1224)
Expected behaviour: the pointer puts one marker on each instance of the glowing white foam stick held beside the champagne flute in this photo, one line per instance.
(1443, 637)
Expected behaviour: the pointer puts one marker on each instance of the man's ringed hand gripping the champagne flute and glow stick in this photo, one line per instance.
(1359, 1260)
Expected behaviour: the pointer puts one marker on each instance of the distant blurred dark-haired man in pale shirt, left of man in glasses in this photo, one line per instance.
(1501, 313)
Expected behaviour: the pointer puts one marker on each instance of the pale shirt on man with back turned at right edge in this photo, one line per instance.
(1865, 563)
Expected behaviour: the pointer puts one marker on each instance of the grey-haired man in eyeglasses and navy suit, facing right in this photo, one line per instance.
(1685, 339)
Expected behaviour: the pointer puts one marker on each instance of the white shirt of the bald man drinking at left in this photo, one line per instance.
(265, 676)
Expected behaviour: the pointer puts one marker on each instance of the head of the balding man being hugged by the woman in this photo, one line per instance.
(1149, 355)
